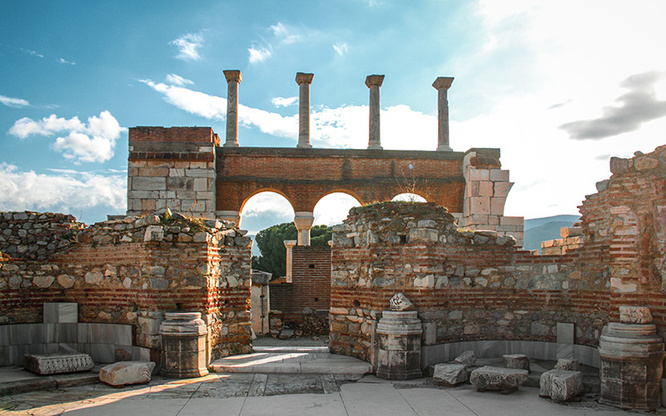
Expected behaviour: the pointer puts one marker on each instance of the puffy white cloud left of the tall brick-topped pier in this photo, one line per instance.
(80, 142)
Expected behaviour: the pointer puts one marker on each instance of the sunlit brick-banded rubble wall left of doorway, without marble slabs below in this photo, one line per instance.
(132, 270)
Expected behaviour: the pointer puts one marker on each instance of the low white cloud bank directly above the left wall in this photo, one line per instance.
(66, 191)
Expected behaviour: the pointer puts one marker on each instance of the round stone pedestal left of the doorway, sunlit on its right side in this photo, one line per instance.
(183, 345)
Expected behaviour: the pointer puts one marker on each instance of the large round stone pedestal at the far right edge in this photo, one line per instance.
(632, 358)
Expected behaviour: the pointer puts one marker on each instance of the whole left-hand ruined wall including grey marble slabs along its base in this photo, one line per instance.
(124, 275)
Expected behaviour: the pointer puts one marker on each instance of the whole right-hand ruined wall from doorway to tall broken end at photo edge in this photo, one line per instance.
(478, 286)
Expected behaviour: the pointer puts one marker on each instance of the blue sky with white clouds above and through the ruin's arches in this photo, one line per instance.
(558, 86)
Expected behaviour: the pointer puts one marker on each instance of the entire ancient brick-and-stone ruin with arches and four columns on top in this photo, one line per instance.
(176, 271)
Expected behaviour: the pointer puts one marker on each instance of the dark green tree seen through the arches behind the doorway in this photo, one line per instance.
(270, 241)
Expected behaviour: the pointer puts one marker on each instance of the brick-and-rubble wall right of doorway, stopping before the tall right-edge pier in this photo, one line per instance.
(466, 285)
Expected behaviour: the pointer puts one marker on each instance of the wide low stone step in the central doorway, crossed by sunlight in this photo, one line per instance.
(291, 360)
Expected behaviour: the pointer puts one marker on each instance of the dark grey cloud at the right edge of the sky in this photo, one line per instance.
(638, 105)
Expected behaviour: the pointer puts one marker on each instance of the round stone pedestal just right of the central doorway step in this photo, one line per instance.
(399, 345)
